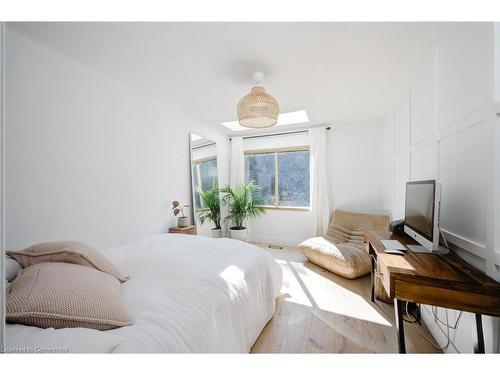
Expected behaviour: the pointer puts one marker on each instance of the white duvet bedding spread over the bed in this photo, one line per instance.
(185, 294)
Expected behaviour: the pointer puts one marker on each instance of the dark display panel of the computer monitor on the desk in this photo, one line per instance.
(419, 211)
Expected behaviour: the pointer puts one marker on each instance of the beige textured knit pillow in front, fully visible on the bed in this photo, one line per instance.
(64, 295)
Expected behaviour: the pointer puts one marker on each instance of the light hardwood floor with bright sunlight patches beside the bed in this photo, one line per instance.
(320, 312)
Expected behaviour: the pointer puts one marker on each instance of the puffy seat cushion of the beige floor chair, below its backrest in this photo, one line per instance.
(345, 259)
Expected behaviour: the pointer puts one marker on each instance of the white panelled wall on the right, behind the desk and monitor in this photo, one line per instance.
(441, 127)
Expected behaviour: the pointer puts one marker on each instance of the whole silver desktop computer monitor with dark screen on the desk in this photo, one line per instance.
(422, 212)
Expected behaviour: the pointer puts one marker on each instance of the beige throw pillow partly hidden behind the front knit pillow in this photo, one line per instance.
(67, 252)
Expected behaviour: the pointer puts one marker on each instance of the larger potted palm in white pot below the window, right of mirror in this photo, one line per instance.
(244, 203)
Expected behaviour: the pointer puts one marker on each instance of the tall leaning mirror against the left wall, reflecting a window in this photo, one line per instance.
(205, 186)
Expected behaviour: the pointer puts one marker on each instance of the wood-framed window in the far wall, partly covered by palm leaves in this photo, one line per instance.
(282, 174)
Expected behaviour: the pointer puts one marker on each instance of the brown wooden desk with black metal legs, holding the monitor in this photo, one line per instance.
(432, 279)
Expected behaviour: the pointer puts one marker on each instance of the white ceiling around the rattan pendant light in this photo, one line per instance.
(337, 72)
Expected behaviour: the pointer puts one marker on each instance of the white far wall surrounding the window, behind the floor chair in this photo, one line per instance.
(354, 162)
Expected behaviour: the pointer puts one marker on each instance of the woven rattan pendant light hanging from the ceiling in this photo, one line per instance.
(258, 109)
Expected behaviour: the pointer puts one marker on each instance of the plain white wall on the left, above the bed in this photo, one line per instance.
(88, 158)
